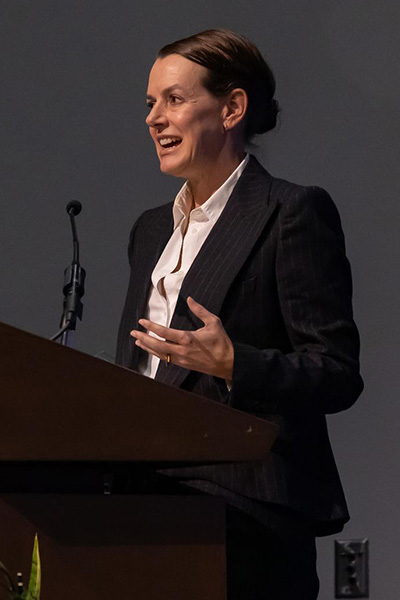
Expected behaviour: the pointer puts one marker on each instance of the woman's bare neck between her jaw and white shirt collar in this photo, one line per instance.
(203, 187)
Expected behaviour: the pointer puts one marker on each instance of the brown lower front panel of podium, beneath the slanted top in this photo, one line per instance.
(97, 547)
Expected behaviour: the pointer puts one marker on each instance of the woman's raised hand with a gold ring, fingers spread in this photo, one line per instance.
(208, 349)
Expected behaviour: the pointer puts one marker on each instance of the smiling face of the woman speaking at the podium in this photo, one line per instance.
(185, 119)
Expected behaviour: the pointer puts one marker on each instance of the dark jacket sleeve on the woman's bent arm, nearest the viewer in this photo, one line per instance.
(321, 373)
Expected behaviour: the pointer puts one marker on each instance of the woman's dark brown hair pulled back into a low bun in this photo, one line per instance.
(233, 62)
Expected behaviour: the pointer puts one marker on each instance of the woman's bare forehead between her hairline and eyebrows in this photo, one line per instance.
(175, 70)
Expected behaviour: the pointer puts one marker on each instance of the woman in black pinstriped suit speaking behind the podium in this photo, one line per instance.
(241, 292)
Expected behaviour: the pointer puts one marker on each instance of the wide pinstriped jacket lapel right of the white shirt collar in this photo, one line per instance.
(222, 255)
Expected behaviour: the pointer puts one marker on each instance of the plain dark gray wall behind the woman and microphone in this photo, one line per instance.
(73, 78)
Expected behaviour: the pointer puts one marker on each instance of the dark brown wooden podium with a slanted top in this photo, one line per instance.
(81, 441)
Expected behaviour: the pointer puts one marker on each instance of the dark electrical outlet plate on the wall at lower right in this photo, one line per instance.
(351, 569)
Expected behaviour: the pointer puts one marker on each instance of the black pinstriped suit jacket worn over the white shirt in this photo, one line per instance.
(274, 269)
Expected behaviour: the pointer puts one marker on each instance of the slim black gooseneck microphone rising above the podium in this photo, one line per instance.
(74, 282)
